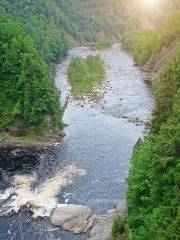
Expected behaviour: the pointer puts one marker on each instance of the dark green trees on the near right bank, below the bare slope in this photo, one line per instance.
(153, 182)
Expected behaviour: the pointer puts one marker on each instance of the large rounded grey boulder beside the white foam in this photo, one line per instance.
(75, 218)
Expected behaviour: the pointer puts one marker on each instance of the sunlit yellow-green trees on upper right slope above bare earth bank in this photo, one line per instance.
(145, 44)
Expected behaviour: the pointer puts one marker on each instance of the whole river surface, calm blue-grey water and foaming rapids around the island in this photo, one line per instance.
(90, 165)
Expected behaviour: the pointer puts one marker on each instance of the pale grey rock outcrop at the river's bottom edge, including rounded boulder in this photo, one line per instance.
(80, 219)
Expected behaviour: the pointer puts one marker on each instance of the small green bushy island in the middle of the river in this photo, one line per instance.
(84, 74)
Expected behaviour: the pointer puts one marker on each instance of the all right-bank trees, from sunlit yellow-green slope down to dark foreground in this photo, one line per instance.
(153, 183)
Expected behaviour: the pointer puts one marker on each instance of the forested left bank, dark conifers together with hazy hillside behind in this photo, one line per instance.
(29, 101)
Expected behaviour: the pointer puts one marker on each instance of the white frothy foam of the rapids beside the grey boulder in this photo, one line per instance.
(41, 200)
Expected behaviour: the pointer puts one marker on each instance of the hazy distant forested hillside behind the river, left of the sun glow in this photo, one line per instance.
(51, 22)
